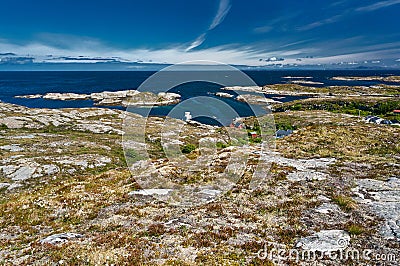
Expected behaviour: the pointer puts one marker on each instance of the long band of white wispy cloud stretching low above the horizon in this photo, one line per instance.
(91, 51)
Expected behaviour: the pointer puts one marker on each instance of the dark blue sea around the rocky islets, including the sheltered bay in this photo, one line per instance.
(13, 83)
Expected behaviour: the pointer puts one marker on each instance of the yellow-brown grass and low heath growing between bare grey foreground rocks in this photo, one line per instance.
(127, 231)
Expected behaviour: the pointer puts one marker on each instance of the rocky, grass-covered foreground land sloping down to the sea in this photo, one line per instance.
(67, 195)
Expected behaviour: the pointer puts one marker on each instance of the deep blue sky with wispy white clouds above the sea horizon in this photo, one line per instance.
(137, 34)
